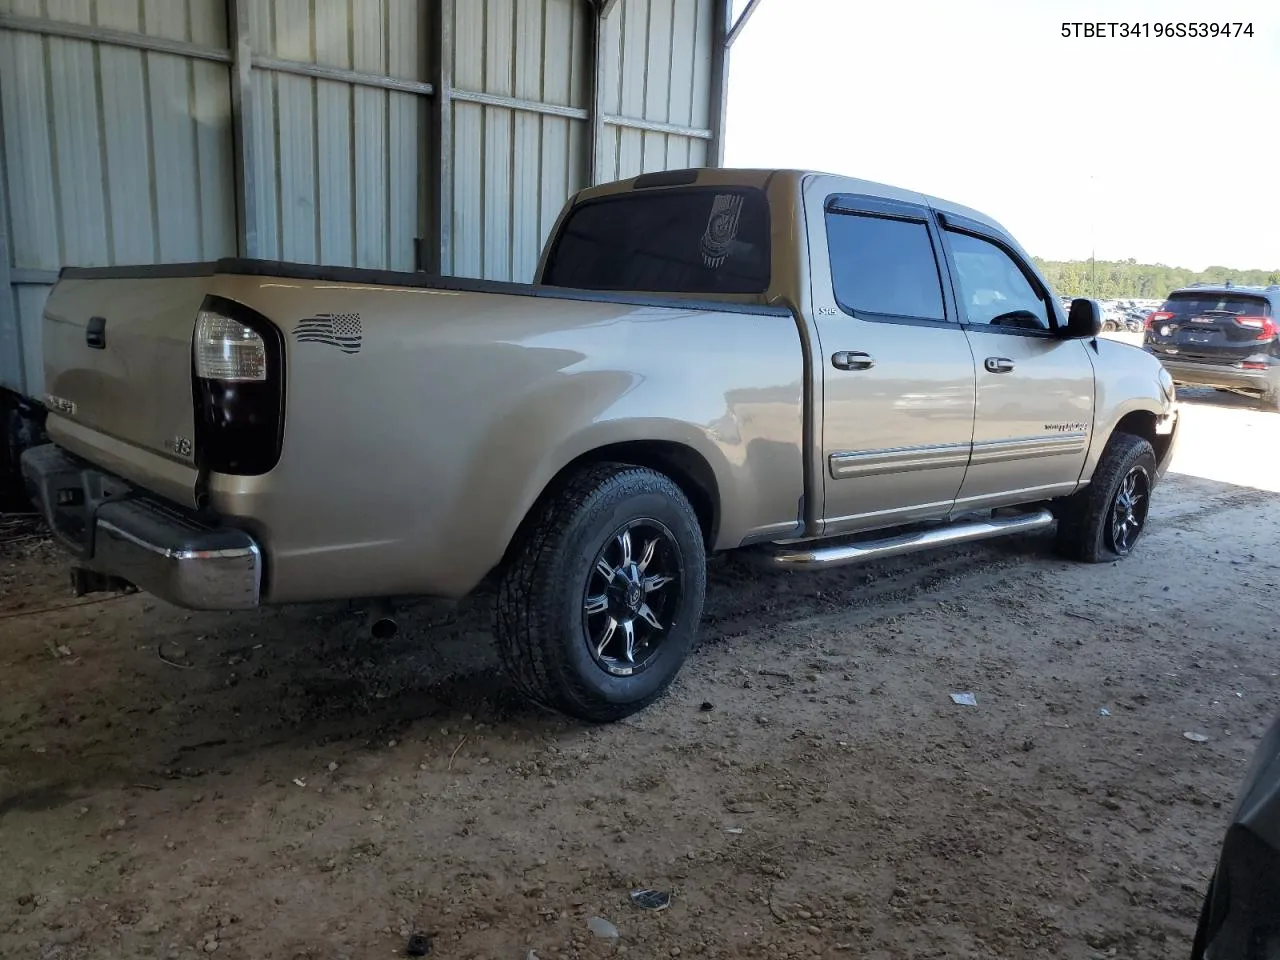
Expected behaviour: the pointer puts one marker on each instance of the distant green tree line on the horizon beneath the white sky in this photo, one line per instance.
(1121, 280)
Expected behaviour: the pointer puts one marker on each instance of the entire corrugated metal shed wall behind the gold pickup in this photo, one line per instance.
(360, 129)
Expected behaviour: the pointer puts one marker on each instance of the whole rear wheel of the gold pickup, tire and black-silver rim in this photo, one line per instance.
(601, 601)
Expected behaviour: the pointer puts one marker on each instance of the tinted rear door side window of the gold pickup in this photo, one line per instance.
(883, 266)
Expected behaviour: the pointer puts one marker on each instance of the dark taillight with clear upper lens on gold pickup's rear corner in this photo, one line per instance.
(239, 360)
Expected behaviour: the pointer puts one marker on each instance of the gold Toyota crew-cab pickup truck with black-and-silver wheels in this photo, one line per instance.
(806, 368)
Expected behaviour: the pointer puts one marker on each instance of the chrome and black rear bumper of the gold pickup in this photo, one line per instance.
(112, 529)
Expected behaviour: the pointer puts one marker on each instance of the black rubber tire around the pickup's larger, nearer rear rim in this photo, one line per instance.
(540, 624)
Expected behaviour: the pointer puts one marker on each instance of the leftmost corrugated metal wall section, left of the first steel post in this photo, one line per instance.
(112, 154)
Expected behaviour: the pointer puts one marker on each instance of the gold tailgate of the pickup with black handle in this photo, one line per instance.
(118, 374)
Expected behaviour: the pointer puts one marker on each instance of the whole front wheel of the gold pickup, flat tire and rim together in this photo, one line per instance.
(1105, 520)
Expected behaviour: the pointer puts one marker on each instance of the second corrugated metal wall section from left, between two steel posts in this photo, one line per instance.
(339, 164)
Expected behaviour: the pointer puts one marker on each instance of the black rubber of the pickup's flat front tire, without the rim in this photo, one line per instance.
(1085, 518)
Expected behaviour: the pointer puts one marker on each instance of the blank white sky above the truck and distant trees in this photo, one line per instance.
(1141, 147)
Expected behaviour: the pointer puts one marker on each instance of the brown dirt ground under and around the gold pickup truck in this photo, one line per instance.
(273, 785)
